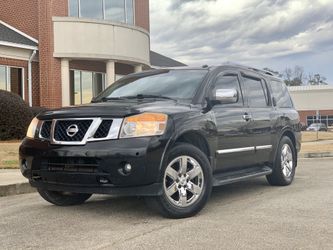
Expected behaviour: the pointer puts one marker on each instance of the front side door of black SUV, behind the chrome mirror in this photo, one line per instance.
(233, 141)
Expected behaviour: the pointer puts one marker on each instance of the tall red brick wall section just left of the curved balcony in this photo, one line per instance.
(50, 67)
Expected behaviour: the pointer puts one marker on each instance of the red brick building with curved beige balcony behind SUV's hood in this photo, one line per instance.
(63, 52)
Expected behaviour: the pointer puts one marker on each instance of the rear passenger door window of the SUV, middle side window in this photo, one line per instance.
(256, 91)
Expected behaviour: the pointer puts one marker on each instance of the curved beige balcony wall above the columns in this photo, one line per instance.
(100, 40)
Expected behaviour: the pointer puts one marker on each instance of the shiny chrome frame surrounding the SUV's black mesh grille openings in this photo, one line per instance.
(89, 136)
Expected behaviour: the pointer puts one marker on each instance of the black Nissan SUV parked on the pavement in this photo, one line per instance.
(169, 135)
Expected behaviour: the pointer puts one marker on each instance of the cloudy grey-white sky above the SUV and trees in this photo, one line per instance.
(267, 33)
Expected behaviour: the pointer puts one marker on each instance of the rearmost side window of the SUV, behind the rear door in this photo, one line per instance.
(281, 94)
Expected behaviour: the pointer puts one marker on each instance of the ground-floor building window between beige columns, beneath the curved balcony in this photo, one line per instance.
(85, 85)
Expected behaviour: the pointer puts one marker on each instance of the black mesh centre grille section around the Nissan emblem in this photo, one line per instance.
(61, 127)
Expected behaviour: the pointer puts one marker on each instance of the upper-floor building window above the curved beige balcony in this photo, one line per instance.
(121, 11)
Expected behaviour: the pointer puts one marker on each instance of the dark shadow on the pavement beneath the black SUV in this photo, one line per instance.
(135, 207)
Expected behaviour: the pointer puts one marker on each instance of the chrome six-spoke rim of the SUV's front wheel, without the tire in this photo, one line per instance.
(183, 181)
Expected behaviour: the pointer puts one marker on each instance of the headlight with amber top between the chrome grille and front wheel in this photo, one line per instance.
(146, 124)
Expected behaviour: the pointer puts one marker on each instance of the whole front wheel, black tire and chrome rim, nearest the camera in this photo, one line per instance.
(187, 183)
